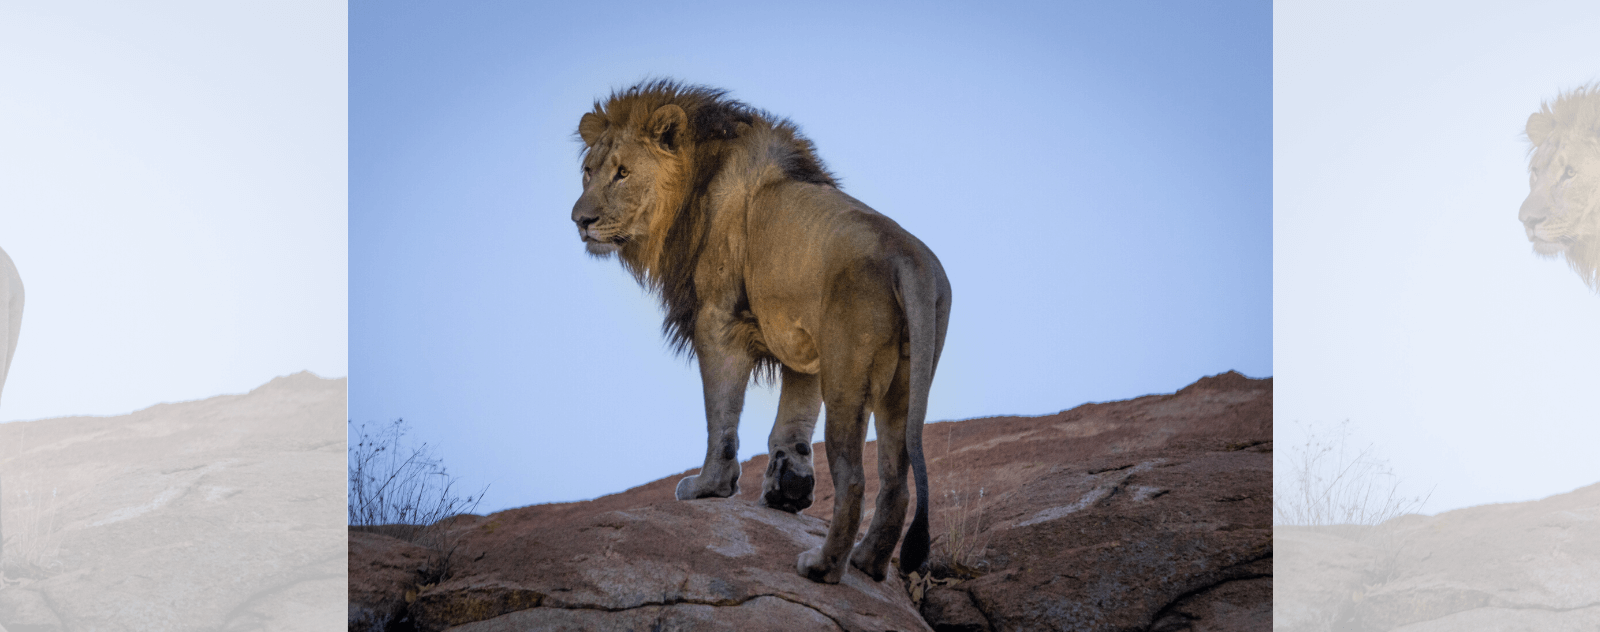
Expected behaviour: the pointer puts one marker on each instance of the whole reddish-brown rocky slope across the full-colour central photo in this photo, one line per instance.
(1142, 514)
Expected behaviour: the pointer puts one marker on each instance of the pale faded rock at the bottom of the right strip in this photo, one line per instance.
(1503, 567)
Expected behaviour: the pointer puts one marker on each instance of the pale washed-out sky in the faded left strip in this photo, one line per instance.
(174, 194)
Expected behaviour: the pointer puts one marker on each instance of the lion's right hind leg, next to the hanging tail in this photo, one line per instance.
(873, 554)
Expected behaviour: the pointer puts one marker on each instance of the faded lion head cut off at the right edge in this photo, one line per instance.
(1562, 212)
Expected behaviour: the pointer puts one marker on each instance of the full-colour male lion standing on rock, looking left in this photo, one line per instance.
(764, 265)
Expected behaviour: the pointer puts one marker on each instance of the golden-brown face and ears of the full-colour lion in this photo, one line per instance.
(630, 175)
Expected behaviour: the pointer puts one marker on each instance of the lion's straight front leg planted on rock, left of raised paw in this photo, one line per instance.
(726, 370)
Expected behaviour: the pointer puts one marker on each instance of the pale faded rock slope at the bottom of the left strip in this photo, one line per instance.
(201, 516)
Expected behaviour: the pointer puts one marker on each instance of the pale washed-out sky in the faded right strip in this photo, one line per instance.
(1407, 298)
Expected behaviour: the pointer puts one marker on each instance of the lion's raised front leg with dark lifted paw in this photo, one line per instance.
(790, 471)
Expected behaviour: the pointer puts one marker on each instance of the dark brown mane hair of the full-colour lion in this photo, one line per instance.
(666, 263)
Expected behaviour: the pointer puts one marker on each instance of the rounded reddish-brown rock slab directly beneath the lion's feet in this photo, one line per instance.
(711, 564)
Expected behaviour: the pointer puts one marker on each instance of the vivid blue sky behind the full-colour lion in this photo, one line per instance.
(1095, 178)
